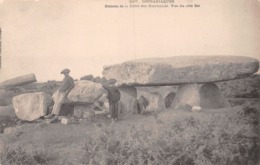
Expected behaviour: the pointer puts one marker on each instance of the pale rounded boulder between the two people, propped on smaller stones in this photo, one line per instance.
(85, 92)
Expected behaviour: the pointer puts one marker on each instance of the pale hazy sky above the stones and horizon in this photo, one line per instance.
(45, 36)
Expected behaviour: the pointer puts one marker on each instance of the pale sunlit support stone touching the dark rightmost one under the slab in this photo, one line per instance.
(187, 95)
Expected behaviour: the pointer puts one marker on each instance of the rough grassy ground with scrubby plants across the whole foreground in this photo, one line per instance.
(224, 136)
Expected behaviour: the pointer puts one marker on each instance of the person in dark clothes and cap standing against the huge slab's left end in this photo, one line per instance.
(113, 97)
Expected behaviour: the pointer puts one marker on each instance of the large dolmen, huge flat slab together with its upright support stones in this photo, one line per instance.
(195, 76)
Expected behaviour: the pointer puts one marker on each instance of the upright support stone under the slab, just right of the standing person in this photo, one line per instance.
(128, 99)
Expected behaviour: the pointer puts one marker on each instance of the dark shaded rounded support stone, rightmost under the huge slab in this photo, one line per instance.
(211, 97)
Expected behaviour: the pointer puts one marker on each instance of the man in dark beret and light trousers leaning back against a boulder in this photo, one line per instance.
(60, 95)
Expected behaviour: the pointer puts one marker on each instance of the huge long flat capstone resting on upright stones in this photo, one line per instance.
(181, 69)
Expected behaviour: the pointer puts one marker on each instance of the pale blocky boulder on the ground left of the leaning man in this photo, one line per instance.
(31, 106)
